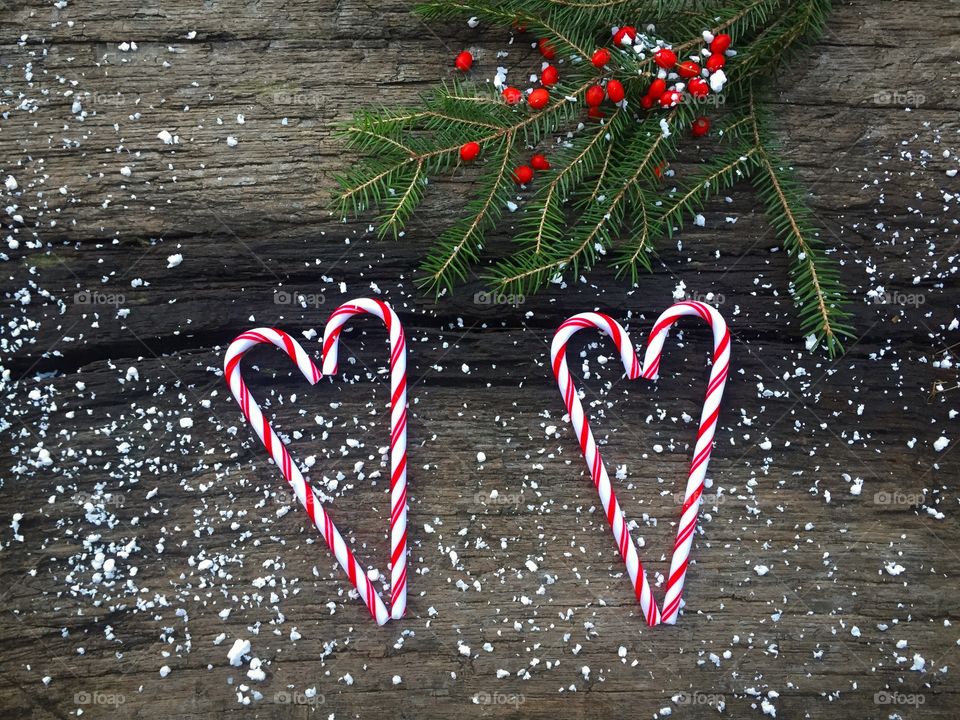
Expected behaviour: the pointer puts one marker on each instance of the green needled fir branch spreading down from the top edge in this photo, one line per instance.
(602, 192)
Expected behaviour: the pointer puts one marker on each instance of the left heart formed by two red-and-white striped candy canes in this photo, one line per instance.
(291, 472)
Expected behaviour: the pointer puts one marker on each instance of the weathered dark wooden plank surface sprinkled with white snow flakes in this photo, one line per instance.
(142, 527)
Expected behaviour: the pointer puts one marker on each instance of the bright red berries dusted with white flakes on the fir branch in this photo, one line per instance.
(697, 76)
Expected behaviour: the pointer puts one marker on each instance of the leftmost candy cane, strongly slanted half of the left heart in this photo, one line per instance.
(278, 451)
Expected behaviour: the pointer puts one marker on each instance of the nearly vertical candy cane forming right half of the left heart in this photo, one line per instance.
(398, 430)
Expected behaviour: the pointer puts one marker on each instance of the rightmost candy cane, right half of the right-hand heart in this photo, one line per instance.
(704, 444)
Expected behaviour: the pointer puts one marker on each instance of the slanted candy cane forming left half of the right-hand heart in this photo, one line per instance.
(591, 453)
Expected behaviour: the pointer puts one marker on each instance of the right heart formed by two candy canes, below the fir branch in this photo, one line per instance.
(701, 453)
